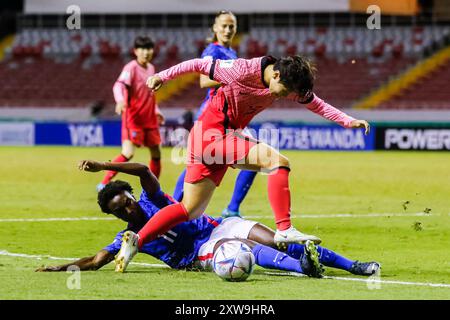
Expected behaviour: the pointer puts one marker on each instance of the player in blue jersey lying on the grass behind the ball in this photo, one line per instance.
(191, 244)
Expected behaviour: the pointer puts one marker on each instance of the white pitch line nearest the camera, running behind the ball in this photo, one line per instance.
(153, 265)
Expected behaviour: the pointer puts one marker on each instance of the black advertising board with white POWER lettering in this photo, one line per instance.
(417, 138)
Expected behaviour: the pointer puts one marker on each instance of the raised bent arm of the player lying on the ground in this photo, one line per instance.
(148, 180)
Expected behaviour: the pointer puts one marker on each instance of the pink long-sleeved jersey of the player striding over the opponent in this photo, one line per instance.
(245, 91)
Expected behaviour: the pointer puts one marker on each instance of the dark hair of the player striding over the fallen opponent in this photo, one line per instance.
(297, 74)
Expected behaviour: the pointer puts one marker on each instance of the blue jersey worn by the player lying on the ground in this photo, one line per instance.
(178, 247)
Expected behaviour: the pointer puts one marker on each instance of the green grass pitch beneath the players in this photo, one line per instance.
(43, 182)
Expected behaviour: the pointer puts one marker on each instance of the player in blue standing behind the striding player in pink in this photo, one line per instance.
(224, 30)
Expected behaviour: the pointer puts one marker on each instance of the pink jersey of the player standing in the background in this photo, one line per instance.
(140, 102)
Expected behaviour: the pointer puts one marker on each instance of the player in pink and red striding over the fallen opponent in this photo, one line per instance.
(216, 141)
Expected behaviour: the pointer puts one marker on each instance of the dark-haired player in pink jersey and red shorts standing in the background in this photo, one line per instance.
(141, 116)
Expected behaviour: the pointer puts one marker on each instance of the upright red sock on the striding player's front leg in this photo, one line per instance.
(280, 197)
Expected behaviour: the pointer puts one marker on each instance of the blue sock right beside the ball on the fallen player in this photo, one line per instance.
(270, 258)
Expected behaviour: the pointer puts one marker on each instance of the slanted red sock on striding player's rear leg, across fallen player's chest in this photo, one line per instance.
(162, 221)
